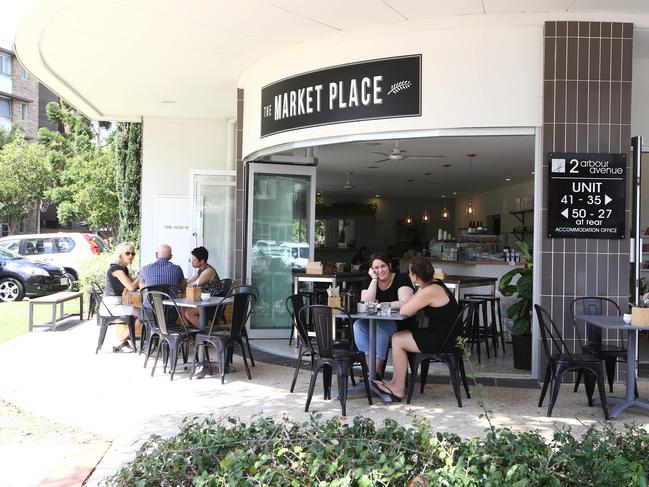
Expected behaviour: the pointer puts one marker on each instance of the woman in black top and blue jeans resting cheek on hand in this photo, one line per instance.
(385, 286)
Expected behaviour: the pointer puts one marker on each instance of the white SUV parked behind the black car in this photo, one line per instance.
(67, 250)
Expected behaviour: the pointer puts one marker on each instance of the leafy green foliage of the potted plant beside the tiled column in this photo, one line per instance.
(521, 311)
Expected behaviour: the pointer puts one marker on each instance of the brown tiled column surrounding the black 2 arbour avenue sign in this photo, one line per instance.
(586, 108)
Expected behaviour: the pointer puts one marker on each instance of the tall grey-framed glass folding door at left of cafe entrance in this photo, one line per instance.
(281, 210)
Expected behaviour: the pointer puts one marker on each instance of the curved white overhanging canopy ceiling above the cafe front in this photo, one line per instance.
(176, 58)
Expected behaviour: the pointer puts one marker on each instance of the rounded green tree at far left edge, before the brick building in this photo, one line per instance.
(24, 175)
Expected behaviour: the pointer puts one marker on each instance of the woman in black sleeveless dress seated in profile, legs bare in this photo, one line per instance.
(437, 305)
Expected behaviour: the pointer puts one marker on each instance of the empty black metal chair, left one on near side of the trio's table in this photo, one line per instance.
(171, 337)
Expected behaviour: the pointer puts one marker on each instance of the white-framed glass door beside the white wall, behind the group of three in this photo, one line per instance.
(214, 204)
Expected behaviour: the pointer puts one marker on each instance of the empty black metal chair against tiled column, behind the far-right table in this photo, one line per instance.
(610, 354)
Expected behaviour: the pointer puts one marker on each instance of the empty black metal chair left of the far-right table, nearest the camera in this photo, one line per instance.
(563, 361)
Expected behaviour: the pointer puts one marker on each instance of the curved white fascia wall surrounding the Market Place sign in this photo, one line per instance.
(478, 76)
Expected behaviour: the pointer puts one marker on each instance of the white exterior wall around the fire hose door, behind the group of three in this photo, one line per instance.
(171, 150)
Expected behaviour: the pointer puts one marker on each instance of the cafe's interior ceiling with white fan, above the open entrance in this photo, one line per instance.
(496, 158)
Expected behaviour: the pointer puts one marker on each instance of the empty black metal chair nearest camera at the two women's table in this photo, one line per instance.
(327, 357)
